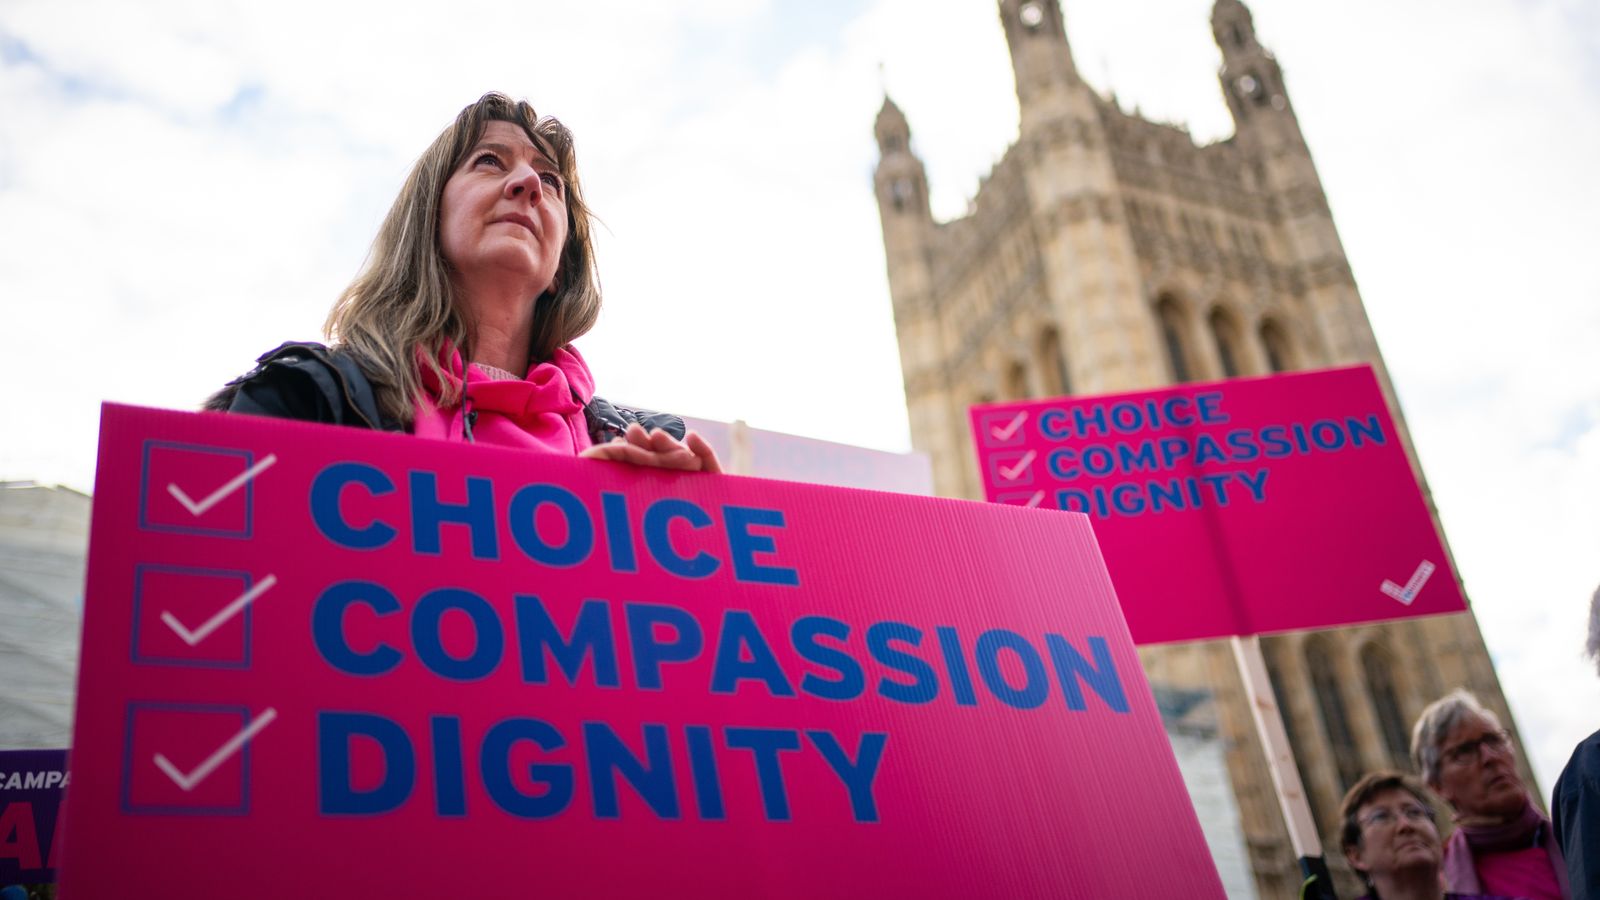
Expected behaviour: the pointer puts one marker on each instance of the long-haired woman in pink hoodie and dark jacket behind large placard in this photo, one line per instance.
(460, 326)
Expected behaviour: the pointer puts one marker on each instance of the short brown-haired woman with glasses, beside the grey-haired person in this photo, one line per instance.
(1391, 840)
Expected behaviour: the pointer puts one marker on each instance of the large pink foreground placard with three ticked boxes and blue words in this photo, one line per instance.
(321, 662)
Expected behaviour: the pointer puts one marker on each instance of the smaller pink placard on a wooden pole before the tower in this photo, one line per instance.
(1239, 507)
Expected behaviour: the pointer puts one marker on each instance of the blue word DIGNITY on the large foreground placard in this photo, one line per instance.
(550, 787)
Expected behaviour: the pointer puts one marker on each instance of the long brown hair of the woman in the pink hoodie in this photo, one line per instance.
(404, 300)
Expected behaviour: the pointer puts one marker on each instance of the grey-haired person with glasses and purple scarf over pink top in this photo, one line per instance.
(1503, 845)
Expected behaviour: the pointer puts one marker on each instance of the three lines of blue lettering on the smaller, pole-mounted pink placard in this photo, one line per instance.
(1137, 476)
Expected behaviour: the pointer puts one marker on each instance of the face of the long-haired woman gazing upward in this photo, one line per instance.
(503, 215)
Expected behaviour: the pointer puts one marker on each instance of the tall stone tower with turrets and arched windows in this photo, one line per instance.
(1113, 254)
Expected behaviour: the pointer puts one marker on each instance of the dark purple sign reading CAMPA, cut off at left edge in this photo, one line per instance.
(31, 789)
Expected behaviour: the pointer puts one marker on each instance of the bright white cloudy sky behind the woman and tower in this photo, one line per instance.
(185, 183)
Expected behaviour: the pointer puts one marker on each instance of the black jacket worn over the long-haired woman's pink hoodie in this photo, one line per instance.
(314, 384)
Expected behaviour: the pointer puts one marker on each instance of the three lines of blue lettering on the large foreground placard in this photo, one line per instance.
(534, 768)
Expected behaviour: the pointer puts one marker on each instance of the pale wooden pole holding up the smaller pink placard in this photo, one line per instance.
(1281, 763)
